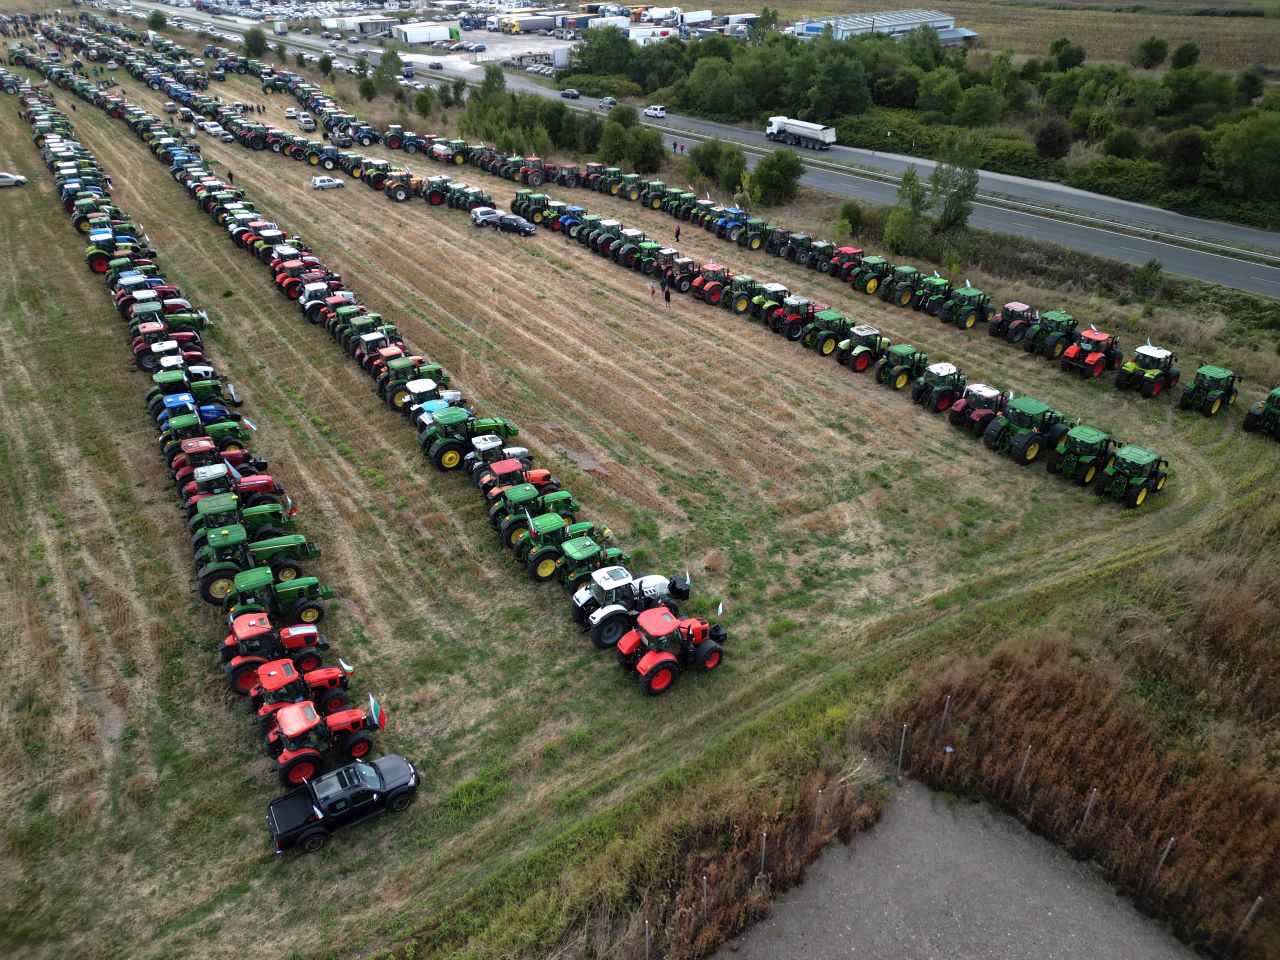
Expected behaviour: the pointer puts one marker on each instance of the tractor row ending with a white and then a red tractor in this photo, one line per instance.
(531, 514)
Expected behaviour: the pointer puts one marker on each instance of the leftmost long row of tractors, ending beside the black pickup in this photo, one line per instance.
(237, 516)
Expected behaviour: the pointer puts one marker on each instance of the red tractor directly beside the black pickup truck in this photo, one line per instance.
(300, 735)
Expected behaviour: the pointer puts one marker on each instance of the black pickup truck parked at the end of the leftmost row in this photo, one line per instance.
(344, 798)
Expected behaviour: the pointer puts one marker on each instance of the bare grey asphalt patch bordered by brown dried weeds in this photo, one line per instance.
(940, 883)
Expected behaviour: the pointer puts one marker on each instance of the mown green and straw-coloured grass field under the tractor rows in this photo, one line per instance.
(840, 527)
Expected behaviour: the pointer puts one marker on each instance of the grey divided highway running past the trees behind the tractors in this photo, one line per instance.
(1104, 217)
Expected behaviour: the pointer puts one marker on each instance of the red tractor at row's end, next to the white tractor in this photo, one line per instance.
(661, 647)
